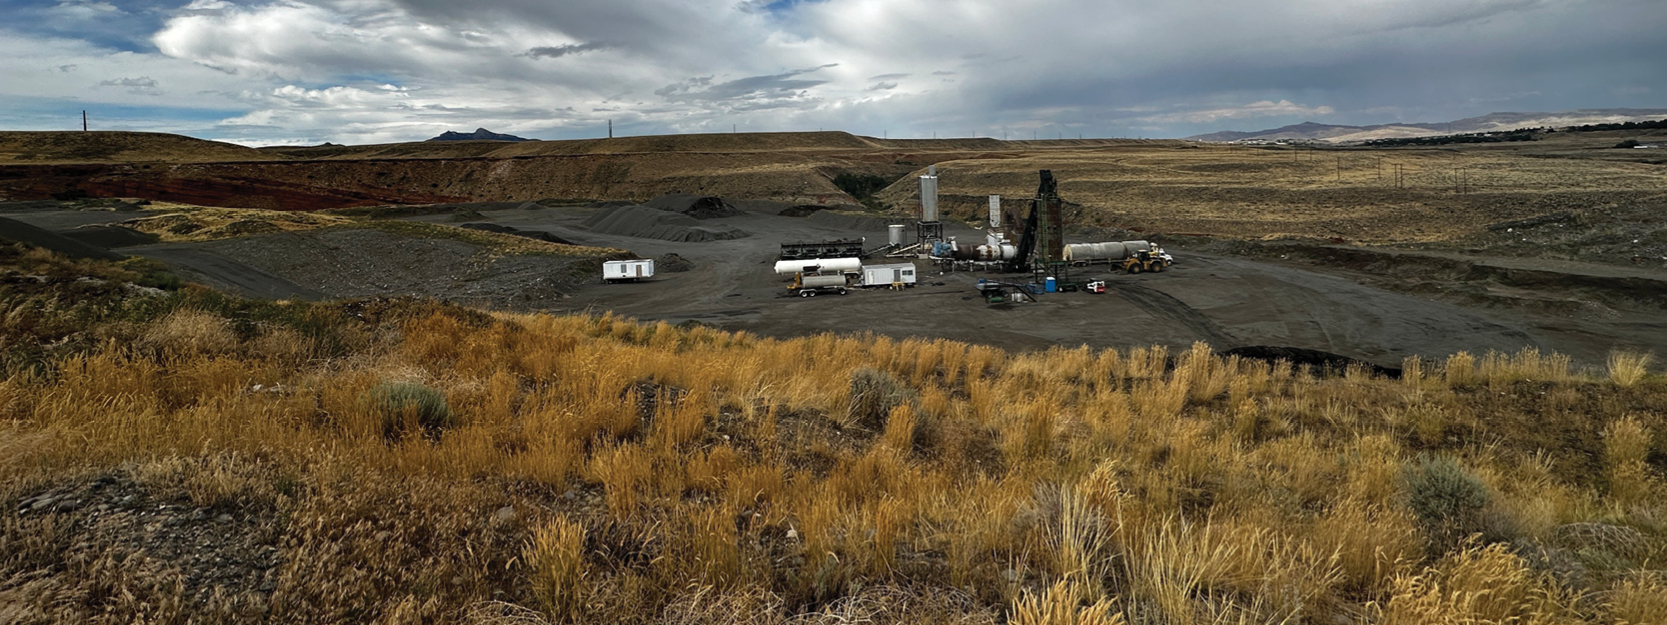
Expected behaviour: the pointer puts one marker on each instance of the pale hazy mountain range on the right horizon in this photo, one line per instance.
(1491, 122)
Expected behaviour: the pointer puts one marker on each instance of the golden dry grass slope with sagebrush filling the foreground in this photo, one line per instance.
(173, 454)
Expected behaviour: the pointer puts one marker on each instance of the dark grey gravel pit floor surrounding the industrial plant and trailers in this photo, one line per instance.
(1376, 306)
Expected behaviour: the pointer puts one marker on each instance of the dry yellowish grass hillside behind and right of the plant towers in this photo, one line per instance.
(1251, 192)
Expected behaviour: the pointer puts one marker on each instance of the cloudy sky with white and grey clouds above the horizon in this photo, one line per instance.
(391, 71)
